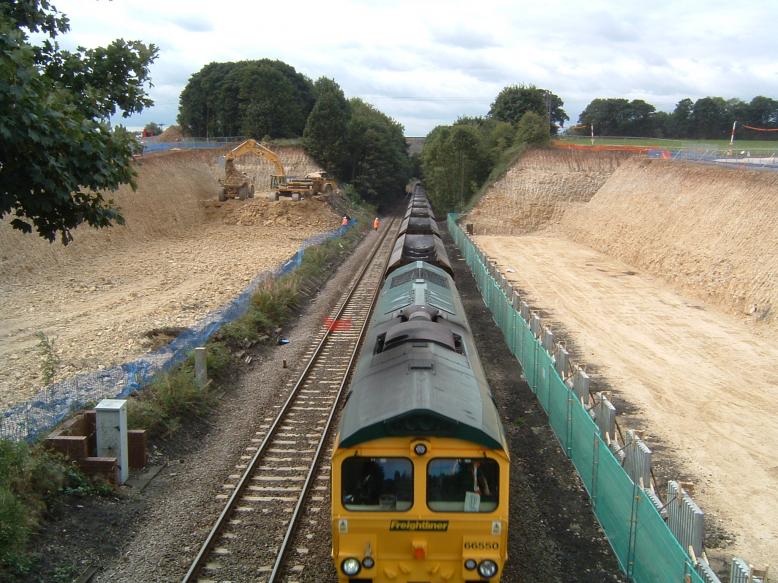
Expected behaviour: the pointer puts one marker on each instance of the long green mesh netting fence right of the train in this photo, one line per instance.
(645, 547)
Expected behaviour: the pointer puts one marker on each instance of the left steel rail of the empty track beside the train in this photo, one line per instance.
(206, 547)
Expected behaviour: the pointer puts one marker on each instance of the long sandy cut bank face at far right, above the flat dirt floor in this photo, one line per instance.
(711, 232)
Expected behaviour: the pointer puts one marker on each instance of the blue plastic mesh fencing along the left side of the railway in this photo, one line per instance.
(25, 421)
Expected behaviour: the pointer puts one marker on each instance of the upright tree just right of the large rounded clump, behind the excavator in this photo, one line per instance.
(325, 130)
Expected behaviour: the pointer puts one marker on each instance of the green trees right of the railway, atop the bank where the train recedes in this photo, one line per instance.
(459, 159)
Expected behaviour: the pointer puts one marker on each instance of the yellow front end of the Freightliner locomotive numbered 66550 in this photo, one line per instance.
(419, 510)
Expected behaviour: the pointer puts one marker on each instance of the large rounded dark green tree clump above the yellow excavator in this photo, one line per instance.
(247, 98)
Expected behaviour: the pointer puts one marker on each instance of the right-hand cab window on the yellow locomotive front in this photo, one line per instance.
(463, 484)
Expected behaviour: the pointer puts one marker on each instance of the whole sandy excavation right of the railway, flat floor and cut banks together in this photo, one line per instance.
(666, 280)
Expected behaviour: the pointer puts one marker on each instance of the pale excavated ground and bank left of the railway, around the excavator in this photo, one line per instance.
(180, 255)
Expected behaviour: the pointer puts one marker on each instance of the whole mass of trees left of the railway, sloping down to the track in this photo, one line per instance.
(261, 99)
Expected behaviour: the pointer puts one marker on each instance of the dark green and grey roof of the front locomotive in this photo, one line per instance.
(419, 383)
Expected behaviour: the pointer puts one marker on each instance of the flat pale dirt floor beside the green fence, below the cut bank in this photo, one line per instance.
(690, 370)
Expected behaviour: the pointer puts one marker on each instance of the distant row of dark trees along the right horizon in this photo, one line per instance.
(705, 118)
